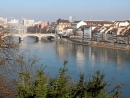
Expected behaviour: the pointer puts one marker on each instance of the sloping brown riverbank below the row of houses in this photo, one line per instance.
(97, 44)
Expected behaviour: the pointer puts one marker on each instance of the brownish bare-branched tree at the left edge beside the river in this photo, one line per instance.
(7, 54)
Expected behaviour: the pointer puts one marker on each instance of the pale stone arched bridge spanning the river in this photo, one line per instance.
(37, 35)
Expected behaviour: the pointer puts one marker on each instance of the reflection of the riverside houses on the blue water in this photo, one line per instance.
(92, 55)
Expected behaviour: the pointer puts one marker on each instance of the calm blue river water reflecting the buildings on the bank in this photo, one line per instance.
(114, 63)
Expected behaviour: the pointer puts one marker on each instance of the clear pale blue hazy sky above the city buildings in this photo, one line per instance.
(51, 10)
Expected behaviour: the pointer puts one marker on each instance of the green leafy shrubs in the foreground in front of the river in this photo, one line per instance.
(62, 86)
